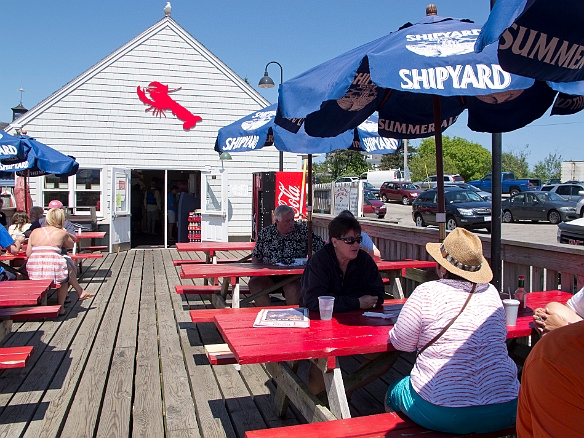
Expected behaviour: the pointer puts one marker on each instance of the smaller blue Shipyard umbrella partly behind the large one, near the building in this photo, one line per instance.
(258, 130)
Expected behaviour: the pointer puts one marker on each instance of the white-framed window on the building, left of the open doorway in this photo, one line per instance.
(79, 192)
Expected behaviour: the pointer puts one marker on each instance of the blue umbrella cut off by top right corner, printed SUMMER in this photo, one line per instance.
(540, 39)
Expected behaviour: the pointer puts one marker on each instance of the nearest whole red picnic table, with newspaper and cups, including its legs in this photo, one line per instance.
(346, 334)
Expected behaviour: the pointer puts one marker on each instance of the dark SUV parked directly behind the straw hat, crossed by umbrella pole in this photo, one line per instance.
(464, 208)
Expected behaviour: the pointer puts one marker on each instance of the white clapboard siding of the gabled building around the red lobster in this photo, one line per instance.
(99, 119)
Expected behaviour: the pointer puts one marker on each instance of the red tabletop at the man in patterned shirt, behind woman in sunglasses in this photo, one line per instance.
(250, 269)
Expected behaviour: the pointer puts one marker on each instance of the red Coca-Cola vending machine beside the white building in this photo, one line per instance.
(271, 189)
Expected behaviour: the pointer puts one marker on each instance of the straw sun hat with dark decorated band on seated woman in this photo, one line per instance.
(462, 254)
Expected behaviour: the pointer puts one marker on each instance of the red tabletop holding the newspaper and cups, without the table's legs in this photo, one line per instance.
(346, 334)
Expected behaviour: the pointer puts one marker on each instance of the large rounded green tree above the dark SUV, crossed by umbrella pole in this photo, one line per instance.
(469, 159)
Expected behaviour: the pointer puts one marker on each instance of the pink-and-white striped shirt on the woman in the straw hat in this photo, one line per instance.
(468, 365)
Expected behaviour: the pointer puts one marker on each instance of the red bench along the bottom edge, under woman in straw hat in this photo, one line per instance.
(388, 425)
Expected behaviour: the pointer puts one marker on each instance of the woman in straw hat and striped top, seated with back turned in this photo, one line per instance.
(463, 380)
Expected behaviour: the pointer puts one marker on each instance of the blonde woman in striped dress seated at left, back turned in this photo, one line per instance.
(45, 261)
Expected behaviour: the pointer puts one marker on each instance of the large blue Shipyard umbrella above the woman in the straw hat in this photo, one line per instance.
(400, 74)
